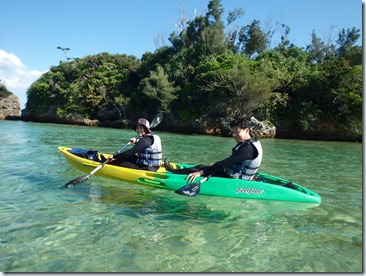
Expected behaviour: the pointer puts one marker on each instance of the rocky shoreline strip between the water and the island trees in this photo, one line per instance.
(10, 110)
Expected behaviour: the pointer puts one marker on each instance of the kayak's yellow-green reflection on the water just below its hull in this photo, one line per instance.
(138, 201)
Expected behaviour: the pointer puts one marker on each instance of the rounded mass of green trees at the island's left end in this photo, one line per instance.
(82, 86)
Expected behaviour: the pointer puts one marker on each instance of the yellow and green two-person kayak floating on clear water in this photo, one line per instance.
(265, 186)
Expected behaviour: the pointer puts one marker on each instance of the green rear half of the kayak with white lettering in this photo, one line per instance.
(265, 186)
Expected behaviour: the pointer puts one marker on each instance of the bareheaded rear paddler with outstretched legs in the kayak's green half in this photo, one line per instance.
(243, 162)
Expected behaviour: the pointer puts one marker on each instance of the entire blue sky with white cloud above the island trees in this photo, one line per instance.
(32, 30)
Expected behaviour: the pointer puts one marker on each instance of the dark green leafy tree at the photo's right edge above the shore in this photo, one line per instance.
(335, 91)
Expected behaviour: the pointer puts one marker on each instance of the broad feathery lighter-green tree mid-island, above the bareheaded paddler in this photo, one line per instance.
(226, 86)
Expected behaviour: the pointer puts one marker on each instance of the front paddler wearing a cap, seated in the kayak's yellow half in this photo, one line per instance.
(146, 154)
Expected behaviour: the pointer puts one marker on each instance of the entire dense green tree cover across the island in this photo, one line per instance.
(213, 70)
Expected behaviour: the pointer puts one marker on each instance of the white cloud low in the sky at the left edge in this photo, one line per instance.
(15, 75)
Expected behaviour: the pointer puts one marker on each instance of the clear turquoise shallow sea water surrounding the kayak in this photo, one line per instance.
(105, 225)
